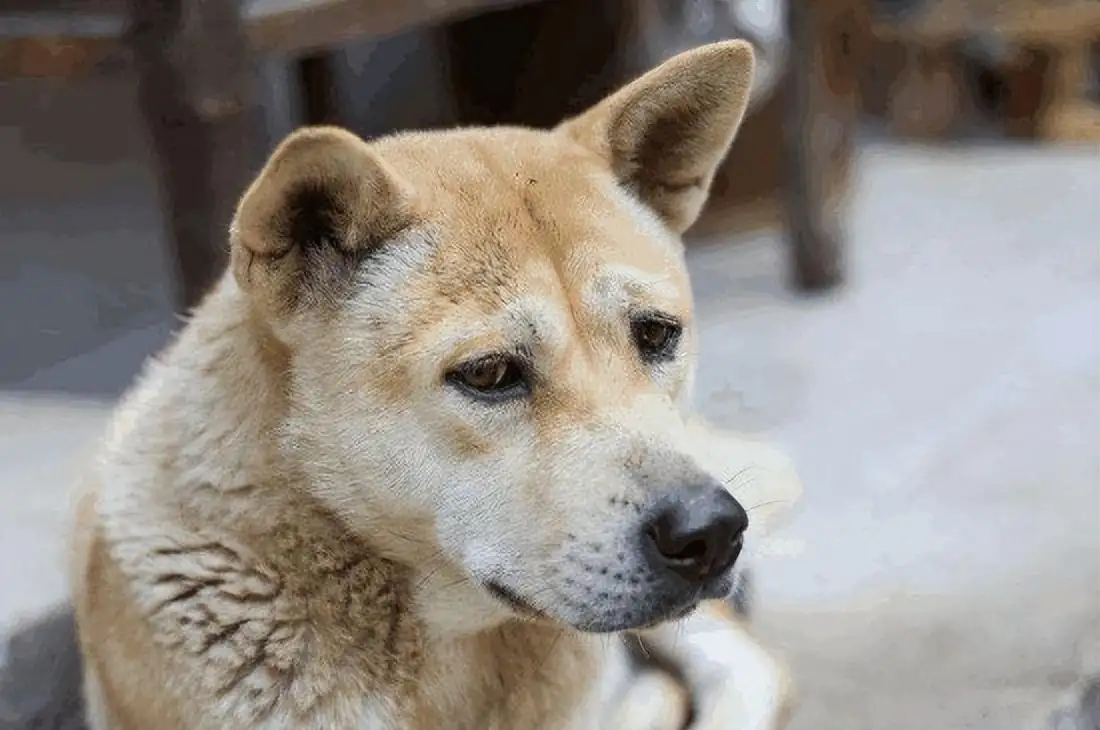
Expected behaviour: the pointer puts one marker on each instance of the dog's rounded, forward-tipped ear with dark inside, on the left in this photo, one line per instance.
(322, 205)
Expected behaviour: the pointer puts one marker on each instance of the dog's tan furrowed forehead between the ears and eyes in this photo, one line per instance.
(515, 213)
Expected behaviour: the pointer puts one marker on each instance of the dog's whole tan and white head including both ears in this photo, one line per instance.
(492, 342)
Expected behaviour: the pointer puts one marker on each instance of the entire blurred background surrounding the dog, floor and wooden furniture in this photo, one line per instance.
(898, 278)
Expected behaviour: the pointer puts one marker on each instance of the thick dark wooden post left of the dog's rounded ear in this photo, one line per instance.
(197, 93)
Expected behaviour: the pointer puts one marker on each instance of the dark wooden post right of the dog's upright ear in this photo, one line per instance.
(821, 116)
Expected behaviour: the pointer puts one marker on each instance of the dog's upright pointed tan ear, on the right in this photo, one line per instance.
(666, 134)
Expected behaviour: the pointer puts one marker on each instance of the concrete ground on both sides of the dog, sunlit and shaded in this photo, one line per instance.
(944, 569)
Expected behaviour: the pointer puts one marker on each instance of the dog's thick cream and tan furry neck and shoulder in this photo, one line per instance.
(202, 584)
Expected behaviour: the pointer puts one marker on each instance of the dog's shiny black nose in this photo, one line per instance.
(699, 535)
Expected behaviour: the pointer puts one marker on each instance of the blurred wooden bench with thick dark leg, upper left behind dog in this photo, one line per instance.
(199, 93)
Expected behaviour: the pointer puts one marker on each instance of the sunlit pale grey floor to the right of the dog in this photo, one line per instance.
(945, 412)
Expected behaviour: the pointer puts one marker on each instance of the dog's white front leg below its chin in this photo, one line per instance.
(734, 682)
